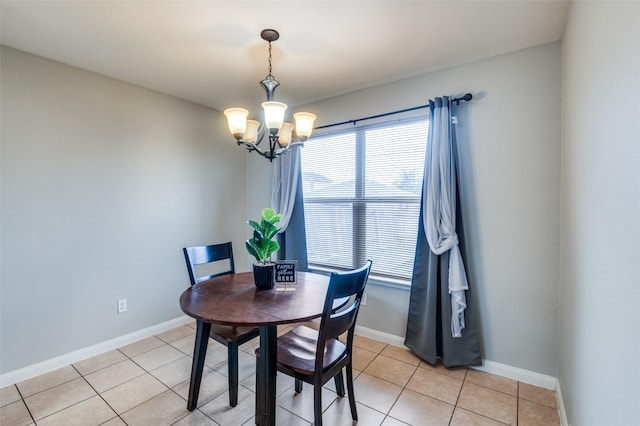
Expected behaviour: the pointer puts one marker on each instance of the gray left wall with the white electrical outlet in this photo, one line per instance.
(103, 183)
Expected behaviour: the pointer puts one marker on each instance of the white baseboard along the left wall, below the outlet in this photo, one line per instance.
(30, 371)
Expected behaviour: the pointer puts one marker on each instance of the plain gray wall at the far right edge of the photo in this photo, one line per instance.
(599, 350)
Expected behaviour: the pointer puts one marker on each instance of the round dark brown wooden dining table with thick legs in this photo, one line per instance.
(234, 300)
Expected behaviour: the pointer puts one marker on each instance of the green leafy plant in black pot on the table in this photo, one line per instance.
(262, 245)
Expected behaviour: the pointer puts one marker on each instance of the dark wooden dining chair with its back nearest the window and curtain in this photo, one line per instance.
(318, 356)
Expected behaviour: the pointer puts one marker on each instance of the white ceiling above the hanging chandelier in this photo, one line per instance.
(211, 53)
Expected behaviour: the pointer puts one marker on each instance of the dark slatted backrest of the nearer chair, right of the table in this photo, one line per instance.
(349, 284)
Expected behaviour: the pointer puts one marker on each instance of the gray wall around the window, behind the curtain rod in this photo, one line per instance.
(510, 156)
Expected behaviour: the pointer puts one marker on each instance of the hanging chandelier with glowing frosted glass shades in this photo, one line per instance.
(281, 134)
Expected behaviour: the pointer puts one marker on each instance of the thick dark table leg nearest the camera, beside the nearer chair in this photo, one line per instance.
(266, 377)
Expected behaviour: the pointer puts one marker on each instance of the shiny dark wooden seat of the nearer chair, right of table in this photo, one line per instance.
(297, 350)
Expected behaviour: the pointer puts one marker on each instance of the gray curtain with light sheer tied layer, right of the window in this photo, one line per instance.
(439, 281)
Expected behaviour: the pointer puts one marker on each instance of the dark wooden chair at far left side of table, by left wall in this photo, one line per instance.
(230, 336)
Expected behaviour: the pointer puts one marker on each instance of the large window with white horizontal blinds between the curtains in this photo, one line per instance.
(362, 192)
